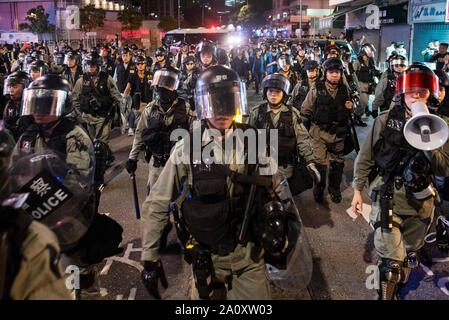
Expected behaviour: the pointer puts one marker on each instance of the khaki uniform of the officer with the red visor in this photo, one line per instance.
(411, 217)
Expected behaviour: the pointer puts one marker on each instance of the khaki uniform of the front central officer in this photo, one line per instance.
(239, 271)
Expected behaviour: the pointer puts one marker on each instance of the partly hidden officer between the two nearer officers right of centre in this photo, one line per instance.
(302, 88)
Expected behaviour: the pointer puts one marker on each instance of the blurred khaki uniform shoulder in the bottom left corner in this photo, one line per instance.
(34, 270)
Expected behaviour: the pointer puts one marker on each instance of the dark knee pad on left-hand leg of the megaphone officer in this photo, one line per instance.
(390, 277)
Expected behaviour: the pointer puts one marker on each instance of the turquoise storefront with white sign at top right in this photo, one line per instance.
(428, 20)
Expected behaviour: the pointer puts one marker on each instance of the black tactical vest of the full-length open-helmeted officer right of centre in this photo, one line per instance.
(330, 114)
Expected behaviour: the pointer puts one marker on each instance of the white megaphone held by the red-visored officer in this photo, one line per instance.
(425, 131)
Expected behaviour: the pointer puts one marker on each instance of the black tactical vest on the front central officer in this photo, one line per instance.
(213, 215)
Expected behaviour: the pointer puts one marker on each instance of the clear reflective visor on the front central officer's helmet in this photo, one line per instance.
(220, 99)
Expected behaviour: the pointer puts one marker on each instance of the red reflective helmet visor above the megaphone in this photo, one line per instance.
(407, 81)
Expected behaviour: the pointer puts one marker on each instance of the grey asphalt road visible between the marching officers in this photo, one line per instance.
(342, 247)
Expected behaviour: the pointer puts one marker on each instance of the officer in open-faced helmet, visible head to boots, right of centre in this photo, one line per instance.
(327, 110)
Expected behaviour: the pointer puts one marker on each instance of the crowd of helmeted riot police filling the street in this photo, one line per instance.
(312, 96)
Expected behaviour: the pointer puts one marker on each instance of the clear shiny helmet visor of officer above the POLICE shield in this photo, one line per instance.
(43, 102)
